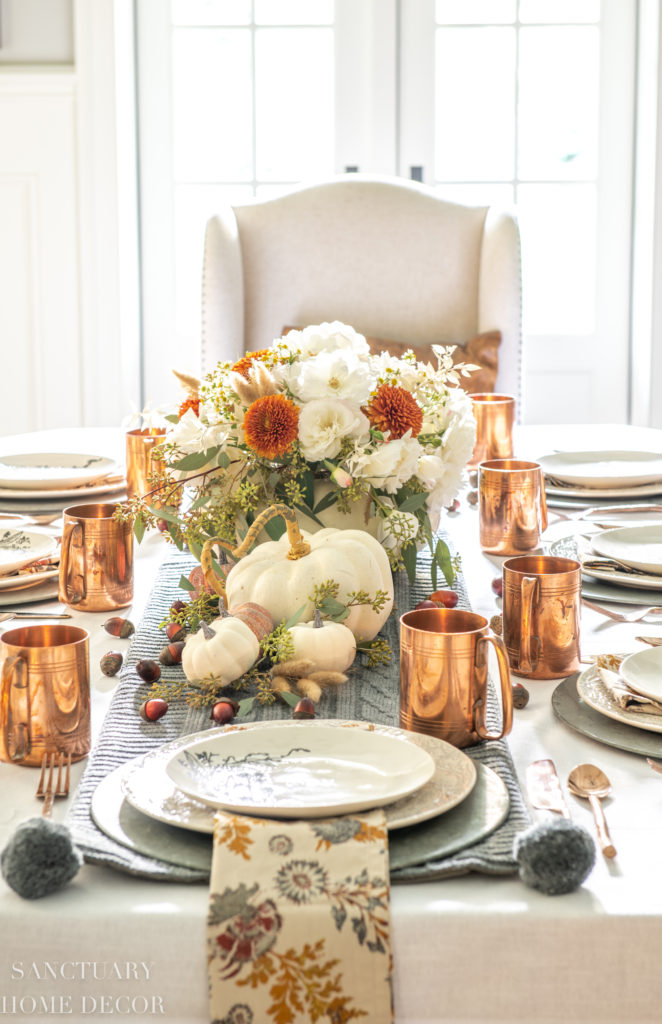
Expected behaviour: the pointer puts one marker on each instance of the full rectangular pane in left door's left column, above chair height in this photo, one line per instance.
(212, 101)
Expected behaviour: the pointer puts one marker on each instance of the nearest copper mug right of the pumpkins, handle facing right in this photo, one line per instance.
(444, 675)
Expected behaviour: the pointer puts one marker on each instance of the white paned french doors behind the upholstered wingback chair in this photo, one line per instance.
(524, 103)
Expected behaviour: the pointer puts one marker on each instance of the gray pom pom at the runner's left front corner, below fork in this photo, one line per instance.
(39, 859)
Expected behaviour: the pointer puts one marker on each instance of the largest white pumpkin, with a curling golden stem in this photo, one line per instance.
(350, 558)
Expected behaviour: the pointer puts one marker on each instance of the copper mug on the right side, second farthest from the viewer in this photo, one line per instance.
(513, 510)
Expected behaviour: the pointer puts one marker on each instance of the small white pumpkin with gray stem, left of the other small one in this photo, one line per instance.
(226, 650)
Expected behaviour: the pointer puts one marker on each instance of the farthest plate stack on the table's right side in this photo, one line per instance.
(582, 479)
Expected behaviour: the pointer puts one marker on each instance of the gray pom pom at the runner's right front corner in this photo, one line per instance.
(555, 857)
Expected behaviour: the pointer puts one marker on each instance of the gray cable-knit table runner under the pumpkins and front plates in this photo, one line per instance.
(375, 698)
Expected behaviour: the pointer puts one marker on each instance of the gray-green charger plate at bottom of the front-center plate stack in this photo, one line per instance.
(480, 815)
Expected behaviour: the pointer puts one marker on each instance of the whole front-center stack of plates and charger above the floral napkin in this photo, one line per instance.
(299, 771)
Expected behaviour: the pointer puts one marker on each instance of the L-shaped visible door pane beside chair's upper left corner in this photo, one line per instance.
(194, 205)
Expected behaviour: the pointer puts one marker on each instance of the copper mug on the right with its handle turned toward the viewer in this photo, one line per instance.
(542, 614)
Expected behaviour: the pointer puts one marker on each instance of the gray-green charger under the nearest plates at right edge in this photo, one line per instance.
(570, 708)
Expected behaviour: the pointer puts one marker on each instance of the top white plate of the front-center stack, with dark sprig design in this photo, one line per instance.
(293, 772)
